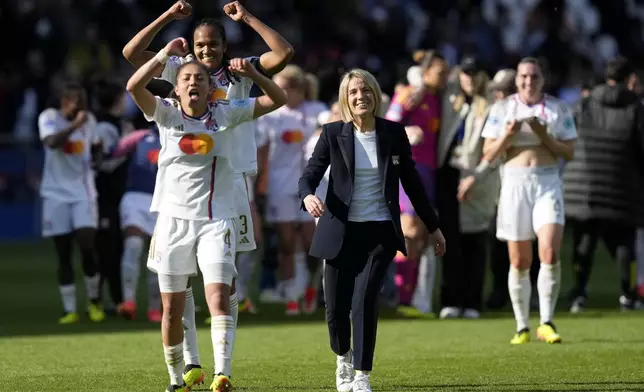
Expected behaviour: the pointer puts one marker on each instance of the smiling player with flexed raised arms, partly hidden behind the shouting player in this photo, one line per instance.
(209, 48)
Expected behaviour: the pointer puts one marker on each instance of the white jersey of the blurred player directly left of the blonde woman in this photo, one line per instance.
(286, 131)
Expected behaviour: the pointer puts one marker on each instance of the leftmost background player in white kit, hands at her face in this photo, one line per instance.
(69, 210)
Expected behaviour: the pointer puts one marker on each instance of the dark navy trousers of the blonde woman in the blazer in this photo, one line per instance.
(352, 283)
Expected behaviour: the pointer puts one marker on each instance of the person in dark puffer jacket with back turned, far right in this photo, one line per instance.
(601, 183)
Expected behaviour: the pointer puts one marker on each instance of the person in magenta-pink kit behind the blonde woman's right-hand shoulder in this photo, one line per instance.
(419, 108)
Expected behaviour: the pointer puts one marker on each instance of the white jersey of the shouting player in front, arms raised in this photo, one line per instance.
(194, 178)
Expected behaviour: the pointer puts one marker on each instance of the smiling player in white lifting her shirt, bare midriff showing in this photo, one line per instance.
(532, 131)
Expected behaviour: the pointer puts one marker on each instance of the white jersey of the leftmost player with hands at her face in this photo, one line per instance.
(67, 173)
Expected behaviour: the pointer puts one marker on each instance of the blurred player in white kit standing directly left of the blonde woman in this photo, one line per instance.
(285, 132)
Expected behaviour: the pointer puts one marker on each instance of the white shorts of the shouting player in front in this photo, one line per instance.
(179, 246)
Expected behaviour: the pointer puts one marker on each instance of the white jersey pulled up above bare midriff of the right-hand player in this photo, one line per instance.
(555, 113)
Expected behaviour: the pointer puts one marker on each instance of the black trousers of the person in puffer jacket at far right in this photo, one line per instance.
(620, 241)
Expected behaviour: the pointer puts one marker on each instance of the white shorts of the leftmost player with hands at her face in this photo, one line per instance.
(59, 217)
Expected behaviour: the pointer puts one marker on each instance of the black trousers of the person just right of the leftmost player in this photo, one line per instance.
(109, 246)
